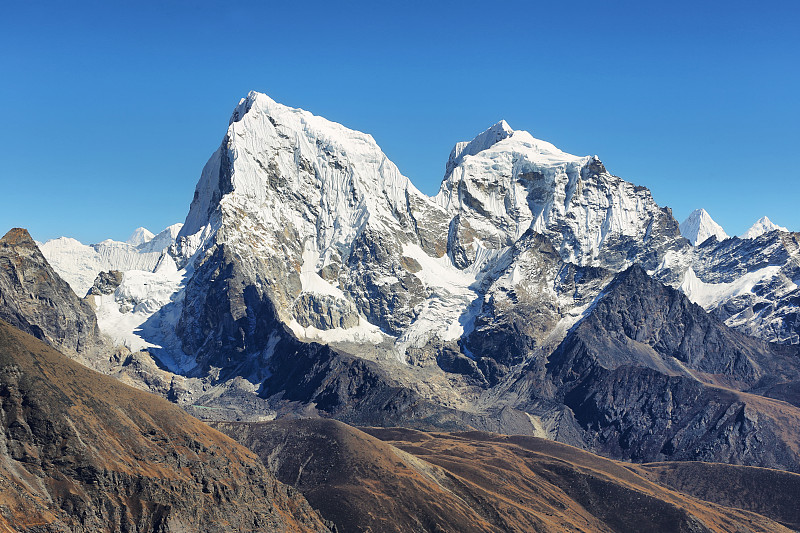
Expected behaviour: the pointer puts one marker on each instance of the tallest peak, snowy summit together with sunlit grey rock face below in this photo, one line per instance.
(316, 218)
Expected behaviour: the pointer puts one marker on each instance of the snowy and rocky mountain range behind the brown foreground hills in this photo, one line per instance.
(535, 294)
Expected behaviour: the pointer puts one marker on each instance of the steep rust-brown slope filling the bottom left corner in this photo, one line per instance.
(79, 451)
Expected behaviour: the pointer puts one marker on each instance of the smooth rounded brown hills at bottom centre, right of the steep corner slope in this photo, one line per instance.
(394, 479)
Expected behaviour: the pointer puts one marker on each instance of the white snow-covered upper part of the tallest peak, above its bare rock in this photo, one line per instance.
(282, 167)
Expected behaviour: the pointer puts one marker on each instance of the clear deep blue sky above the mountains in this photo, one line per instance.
(110, 109)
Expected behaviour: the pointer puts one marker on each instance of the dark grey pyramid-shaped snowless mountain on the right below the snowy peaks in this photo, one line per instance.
(650, 376)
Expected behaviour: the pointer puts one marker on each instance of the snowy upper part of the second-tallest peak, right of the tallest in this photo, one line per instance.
(522, 183)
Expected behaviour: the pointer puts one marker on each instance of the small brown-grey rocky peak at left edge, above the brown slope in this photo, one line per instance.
(36, 300)
